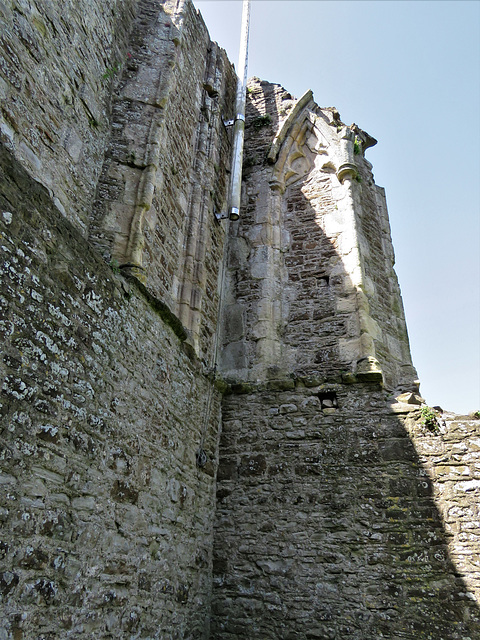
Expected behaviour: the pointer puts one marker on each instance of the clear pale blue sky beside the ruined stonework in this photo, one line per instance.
(408, 73)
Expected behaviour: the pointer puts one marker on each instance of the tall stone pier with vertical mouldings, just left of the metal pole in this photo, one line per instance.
(165, 170)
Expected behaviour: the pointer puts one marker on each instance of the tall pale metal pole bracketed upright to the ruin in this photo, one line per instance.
(239, 130)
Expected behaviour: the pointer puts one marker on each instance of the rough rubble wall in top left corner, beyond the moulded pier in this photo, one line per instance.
(58, 62)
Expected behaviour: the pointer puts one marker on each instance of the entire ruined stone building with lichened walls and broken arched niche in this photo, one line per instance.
(208, 430)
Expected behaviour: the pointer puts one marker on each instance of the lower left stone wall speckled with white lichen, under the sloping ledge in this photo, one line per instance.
(106, 520)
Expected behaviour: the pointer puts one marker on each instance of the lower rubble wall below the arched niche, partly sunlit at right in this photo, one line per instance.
(345, 521)
